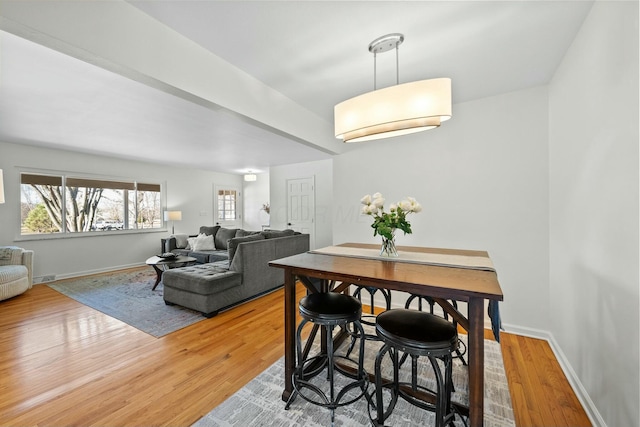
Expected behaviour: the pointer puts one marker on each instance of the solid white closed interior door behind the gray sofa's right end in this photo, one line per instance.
(301, 210)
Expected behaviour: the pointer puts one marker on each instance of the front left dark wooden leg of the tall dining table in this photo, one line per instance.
(289, 332)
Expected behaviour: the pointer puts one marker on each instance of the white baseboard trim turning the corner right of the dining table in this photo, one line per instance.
(575, 383)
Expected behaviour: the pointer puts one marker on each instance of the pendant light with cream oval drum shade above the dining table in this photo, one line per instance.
(395, 110)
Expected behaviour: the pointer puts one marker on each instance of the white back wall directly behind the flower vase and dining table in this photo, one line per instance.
(482, 180)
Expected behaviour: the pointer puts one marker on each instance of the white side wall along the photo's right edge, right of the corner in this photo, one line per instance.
(593, 156)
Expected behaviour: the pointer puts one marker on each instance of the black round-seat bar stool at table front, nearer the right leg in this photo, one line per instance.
(418, 334)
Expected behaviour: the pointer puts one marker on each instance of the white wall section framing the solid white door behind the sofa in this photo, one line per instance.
(322, 171)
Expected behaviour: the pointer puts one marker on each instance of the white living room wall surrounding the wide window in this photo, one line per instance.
(188, 190)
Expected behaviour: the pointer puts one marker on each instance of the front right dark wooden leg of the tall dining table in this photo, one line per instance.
(476, 361)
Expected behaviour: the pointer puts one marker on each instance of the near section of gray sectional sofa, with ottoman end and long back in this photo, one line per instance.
(210, 287)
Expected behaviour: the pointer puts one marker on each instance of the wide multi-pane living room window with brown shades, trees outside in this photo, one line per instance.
(66, 204)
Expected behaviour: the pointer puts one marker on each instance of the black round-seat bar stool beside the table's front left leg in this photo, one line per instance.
(328, 310)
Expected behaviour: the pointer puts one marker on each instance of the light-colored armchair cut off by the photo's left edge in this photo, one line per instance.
(16, 271)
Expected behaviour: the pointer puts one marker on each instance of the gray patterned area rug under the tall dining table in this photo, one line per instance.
(259, 403)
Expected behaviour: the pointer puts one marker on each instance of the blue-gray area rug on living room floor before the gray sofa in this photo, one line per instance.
(128, 297)
